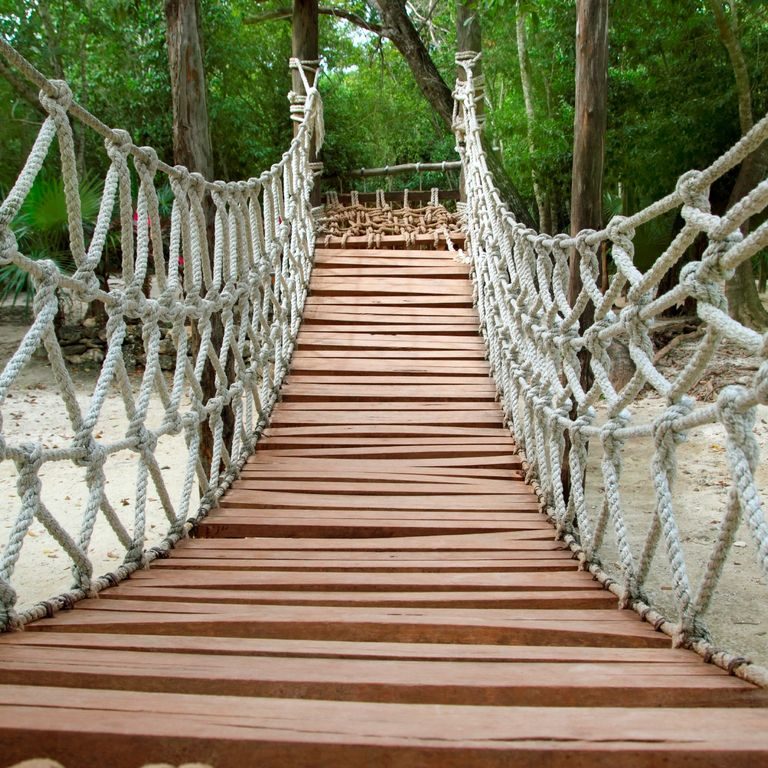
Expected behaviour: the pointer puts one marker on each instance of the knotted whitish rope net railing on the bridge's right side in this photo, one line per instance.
(534, 339)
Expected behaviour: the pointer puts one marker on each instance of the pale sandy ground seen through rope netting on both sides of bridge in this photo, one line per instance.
(738, 619)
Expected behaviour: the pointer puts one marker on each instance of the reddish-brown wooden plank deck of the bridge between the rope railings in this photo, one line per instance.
(378, 589)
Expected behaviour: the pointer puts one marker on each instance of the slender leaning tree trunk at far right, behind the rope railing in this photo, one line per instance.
(744, 302)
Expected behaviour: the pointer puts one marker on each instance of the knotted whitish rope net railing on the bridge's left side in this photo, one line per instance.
(250, 276)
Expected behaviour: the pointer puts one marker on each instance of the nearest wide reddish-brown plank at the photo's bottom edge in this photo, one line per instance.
(273, 732)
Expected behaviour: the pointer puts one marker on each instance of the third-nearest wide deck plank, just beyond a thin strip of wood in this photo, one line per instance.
(520, 626)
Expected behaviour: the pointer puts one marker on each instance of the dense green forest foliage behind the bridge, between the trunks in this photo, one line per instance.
(673, 101)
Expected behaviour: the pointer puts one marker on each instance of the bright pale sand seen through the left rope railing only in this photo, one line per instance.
(34, 410)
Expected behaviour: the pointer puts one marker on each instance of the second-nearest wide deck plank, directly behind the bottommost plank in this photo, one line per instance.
(470, 683)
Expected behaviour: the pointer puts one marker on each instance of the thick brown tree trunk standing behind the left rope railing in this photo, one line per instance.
(192, 148)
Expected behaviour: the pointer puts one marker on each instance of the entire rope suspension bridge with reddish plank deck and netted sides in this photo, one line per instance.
(387, 566)
